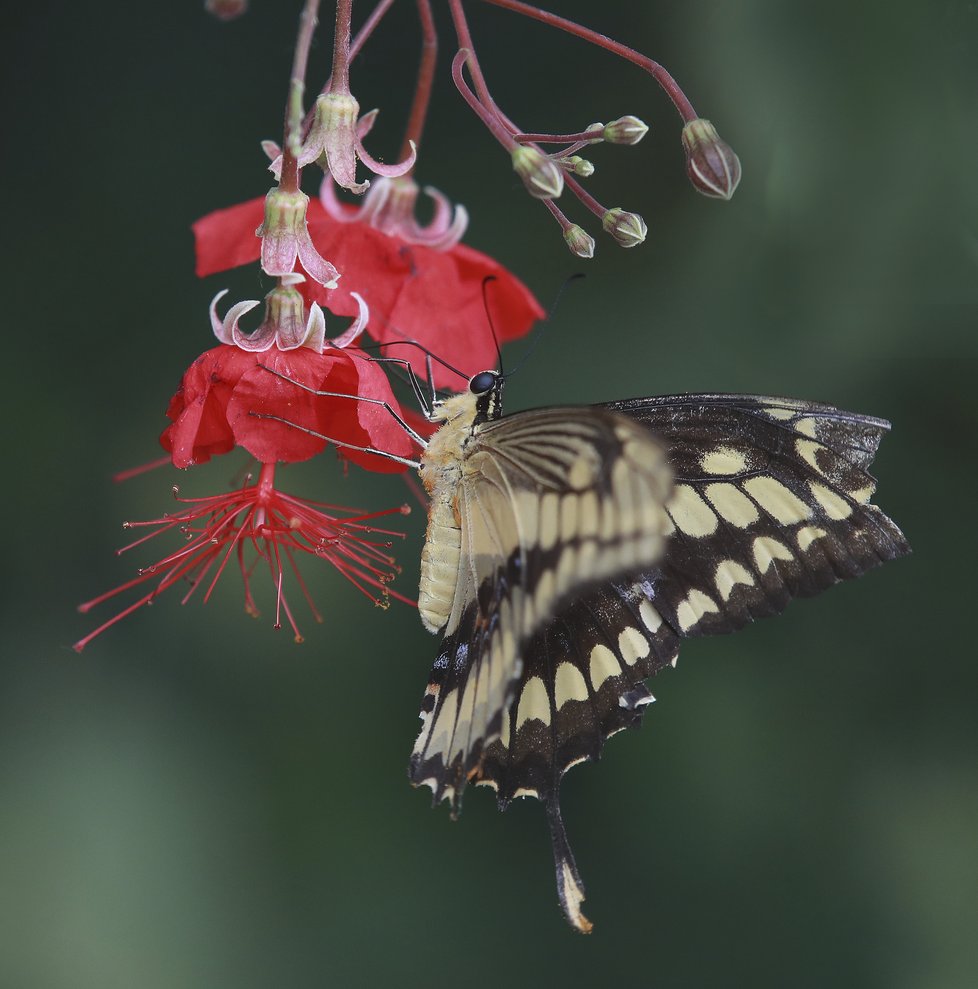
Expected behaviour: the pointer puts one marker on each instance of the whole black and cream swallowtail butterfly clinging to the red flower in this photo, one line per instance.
(569, 550)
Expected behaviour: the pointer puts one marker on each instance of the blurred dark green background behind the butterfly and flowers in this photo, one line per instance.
(197, 802)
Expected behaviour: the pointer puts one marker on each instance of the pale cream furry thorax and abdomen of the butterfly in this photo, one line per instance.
(441, 472)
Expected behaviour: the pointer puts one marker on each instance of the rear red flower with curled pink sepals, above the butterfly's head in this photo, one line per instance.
(432, 295)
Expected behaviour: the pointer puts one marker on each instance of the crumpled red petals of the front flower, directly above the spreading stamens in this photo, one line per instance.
(227, 391)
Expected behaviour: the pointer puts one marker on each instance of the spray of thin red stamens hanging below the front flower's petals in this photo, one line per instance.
(260, 526)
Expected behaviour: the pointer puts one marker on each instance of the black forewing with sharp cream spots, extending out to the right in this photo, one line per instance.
(772, 501)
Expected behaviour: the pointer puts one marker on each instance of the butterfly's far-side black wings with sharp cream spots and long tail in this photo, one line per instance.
(771, 500)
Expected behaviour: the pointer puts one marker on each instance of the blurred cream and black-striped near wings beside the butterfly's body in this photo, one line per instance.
(548, 502)
